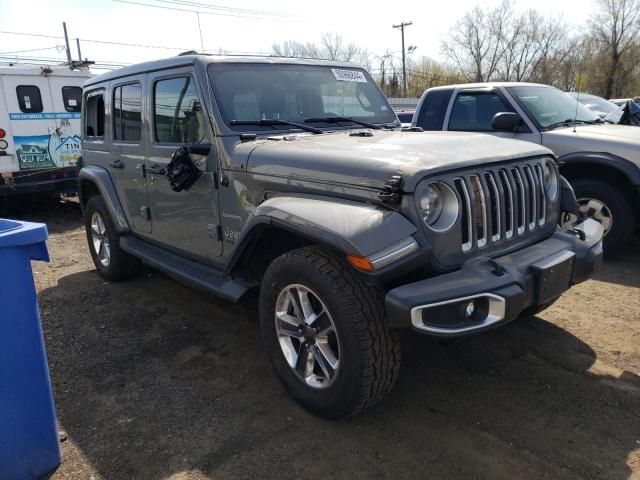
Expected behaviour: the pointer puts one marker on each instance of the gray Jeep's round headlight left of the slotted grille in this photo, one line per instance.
(437, 205)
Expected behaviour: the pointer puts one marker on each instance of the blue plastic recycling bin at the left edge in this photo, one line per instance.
(29, 447)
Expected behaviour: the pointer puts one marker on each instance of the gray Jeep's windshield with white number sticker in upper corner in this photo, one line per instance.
(247, 92)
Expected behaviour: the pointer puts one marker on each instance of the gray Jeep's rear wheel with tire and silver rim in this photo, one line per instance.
(111, 262)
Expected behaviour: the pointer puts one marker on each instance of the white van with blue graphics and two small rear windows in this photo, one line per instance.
(39, 128)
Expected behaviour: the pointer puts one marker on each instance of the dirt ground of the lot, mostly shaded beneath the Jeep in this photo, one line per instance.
(155, 381)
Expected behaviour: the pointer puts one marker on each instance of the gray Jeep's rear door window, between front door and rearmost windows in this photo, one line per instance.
(127, 112)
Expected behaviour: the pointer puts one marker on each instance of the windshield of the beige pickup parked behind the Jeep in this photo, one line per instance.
(549, 107)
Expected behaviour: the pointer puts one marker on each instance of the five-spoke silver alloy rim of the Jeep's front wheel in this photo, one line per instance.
(307, 336)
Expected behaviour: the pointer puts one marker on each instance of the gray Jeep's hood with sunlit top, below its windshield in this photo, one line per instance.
(368, 161)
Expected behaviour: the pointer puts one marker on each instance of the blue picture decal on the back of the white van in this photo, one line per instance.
(47, 151)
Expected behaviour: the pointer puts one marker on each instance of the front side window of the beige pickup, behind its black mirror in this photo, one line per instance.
(474, 111)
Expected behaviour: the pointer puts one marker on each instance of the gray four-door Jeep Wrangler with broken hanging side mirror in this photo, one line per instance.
(292, 176)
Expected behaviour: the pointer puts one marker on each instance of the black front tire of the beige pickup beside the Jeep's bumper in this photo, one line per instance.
(624, 218)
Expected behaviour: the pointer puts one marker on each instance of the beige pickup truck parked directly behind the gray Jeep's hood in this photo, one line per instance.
(601, 161)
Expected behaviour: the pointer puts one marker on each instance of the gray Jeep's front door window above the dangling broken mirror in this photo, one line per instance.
(178, 114)
